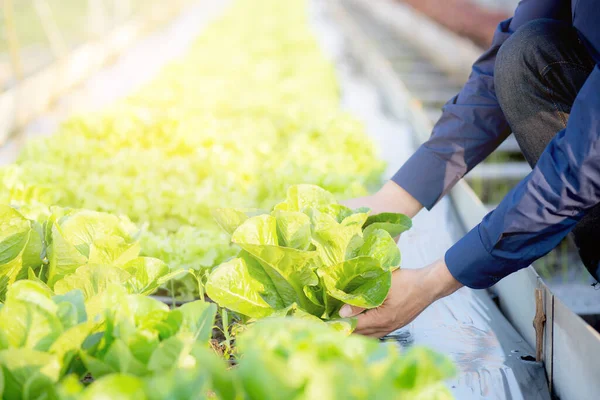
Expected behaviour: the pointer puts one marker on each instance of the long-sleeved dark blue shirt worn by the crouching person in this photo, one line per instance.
(542, 209)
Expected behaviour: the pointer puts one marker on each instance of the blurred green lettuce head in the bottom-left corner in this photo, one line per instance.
(40, 335)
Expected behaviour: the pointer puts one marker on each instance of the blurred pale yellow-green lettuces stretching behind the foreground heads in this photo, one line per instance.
(252, 107)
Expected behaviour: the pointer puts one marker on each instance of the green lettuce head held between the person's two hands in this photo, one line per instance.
(309, 251)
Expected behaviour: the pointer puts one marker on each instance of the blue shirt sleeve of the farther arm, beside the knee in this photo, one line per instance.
(472, 124)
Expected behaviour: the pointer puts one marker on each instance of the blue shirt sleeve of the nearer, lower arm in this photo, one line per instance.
(541, 210)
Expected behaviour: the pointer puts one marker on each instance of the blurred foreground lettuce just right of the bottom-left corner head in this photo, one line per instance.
(142, 336)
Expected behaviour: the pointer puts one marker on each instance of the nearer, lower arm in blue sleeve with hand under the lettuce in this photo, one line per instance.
(531, 220)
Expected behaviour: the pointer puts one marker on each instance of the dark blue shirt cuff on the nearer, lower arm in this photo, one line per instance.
(471, 263)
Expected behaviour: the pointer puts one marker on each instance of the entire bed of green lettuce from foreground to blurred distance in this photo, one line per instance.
(123, 203)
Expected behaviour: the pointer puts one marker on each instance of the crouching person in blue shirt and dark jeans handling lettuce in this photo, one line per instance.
(541, 80)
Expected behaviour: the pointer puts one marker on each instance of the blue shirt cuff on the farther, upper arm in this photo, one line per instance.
(423, 176)
